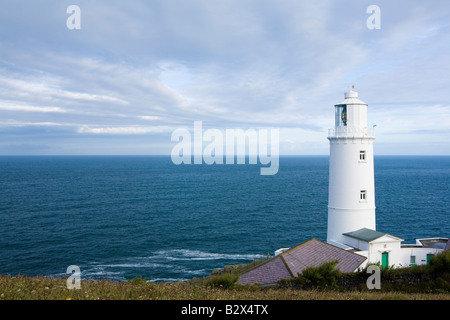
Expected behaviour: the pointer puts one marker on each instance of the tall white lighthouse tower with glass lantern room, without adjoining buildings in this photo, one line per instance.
(351, 198)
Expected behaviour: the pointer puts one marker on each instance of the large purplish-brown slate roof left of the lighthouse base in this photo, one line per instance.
(312, 253)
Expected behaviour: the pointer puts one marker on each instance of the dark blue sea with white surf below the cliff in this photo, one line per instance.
(122, 217)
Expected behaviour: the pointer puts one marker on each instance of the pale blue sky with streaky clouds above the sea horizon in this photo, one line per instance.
(138, 70)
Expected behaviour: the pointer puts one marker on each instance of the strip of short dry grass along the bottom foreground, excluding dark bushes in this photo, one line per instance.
(45, 288)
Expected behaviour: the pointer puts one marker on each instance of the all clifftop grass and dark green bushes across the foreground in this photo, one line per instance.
(428, 282)
